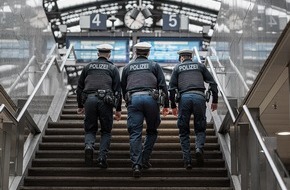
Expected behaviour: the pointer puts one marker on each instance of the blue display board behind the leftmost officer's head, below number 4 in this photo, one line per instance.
(85, 48)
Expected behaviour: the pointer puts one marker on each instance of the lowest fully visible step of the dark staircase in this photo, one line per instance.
(129, 181)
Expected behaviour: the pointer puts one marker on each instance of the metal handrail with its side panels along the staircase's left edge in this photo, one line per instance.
(43, 101)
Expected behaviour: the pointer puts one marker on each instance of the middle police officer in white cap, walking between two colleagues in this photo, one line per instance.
(141, 80)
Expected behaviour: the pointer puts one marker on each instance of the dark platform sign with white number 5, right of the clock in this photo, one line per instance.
(171, 22)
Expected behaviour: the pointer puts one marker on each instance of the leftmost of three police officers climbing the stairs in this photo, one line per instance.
(98, 91)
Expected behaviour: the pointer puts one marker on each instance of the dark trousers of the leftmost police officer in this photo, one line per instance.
(96, 109)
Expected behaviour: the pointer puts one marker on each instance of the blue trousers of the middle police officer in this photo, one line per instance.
(142, 106)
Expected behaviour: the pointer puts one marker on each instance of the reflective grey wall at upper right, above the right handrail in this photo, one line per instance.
(246, 32)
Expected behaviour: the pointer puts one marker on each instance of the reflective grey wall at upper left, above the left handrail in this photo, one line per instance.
(24, 32)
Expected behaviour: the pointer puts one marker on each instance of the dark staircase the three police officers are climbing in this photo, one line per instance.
(59, 162)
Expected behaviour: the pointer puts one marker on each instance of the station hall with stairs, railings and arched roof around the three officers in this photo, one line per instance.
(45, 44)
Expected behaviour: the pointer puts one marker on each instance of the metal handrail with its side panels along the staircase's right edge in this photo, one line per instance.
(262, 171)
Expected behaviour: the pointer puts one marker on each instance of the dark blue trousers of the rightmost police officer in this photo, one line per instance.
(191, 103)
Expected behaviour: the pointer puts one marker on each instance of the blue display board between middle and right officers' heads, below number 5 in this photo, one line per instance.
(164, 50)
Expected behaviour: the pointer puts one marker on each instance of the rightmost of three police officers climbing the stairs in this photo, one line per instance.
(187, 80)
